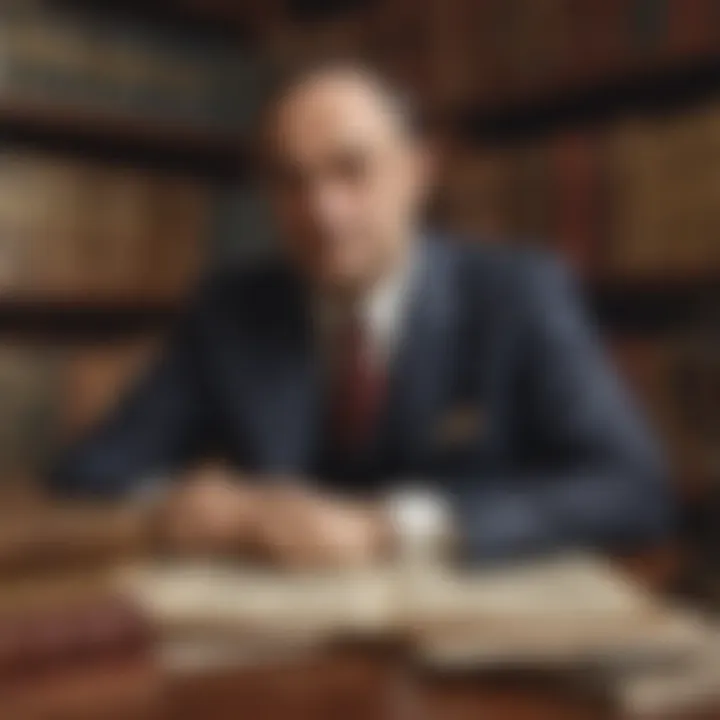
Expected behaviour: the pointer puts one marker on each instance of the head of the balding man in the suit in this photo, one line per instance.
(347, 174)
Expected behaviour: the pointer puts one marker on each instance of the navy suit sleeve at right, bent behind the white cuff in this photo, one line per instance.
(590, 474)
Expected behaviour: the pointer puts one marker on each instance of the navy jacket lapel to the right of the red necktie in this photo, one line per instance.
(423, 369)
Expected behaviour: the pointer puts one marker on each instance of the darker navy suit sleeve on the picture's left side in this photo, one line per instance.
(156, 427)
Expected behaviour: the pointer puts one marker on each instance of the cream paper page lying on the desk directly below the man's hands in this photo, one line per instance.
(247, 600)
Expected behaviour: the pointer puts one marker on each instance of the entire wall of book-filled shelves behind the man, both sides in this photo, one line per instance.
(590, 127)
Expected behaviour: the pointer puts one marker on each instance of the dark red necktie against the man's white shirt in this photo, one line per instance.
(359, 387)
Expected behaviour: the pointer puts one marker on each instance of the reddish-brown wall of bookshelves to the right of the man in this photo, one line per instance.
(590, 128)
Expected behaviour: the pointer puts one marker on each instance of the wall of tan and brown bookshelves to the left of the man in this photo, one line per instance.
(117, 131)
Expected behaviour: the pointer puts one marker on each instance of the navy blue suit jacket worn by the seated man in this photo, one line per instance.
(553, 455)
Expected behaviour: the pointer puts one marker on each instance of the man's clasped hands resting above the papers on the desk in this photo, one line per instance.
(213, 512)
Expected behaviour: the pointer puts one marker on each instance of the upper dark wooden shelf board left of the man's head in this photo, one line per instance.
(123, 136)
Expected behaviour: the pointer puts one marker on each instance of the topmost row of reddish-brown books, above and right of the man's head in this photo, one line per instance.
(489, 51)
